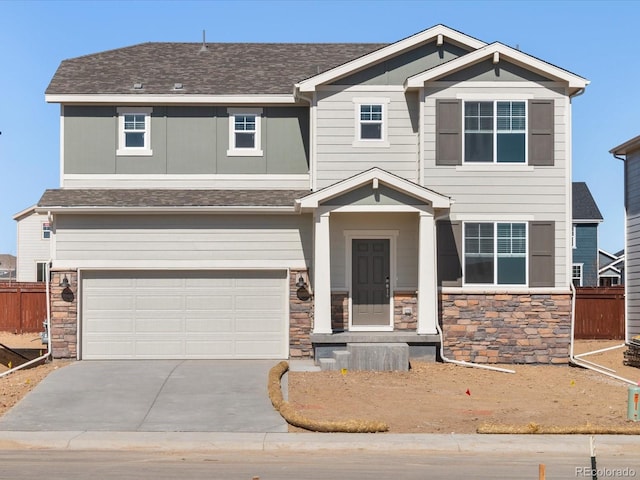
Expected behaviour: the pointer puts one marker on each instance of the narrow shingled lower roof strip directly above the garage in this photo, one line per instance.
(168, 198)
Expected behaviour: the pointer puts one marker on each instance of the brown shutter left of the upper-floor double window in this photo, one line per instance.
(448, 132)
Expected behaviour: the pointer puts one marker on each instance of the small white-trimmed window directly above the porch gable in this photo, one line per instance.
(371, 124)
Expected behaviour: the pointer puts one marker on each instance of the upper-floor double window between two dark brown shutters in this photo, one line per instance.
(495, 131)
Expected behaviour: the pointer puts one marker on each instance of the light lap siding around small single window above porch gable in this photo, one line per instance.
(338, 154)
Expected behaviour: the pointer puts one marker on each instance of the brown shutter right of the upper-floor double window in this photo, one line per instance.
(541, 133)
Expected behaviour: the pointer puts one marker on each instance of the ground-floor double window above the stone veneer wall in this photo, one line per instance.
(495, 253)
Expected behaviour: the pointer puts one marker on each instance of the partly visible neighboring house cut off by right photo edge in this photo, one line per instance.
(629, 152)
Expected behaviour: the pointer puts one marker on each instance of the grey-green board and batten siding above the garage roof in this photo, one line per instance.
(185, 141)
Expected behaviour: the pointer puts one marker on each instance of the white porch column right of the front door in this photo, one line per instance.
(427, 290)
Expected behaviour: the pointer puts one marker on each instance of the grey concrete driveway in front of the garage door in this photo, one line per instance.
(151, 396)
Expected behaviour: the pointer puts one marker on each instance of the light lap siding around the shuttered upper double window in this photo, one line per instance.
(498, 191)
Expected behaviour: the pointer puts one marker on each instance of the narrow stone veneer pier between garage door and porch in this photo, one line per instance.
(300, 319)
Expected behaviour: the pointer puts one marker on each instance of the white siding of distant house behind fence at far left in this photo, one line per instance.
(32, 248)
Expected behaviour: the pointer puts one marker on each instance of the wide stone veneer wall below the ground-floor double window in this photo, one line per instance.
(507, 328)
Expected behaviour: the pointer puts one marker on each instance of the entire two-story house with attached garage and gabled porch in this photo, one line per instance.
(284, 200)
